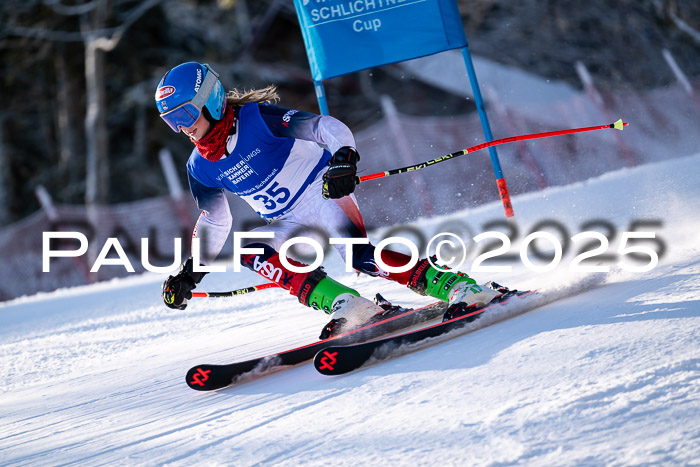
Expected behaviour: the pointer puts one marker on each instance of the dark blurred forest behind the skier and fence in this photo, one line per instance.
(78, 77)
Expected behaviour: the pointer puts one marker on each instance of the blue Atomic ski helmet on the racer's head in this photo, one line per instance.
(185, 91)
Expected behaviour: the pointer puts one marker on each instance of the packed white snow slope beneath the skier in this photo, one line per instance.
(95, 375)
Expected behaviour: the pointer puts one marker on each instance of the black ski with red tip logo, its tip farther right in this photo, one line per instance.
(338, 359)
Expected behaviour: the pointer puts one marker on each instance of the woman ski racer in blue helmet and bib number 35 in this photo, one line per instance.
(295, 169)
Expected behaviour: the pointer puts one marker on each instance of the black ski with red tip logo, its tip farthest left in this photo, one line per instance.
(211, 377)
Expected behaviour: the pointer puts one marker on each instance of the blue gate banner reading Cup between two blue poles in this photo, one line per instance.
(343, 36)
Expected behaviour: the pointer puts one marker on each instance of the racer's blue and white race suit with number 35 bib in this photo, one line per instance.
(275, 160)
